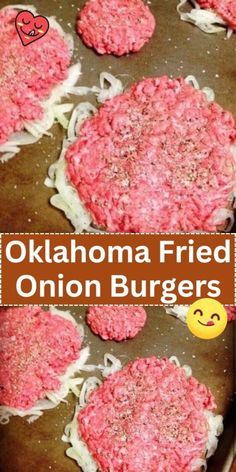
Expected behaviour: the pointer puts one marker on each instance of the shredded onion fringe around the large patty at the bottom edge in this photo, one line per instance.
(79, 451)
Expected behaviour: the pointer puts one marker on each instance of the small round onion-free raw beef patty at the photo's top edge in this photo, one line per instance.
(116, 26)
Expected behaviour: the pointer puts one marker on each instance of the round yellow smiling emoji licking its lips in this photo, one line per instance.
(207, 318)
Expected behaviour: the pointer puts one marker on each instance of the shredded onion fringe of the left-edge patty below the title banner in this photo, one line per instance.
(69, 383)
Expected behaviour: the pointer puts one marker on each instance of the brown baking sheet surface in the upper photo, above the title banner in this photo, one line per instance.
(177, 48)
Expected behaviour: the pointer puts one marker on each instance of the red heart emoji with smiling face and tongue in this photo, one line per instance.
(30, 28)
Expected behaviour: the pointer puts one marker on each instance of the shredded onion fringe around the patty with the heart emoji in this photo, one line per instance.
(53, 110)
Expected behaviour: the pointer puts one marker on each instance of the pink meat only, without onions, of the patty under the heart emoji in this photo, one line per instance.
(27, 74)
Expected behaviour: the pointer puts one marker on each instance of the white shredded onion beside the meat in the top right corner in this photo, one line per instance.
(206, 20)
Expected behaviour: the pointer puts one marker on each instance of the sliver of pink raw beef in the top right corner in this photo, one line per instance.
(225, 8)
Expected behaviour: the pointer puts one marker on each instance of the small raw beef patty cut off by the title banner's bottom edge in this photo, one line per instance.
(117, 323)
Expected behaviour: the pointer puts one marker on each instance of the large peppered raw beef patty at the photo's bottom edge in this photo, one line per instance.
(148, 417)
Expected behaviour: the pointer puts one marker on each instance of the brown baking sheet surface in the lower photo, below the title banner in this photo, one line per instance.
(38, 446)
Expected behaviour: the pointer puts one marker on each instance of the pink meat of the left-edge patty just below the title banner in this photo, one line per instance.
(36, 347)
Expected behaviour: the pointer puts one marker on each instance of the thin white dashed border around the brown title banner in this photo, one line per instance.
(232, 235)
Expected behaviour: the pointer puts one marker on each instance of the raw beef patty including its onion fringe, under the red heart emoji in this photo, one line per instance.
(33, 79)
